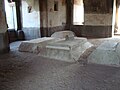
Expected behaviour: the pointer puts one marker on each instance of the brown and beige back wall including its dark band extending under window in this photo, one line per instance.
(97, 19)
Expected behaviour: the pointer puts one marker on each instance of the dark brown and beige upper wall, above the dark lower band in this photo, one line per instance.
(98, 12)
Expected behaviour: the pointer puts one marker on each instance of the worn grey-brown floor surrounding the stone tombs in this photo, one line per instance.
(26, 71)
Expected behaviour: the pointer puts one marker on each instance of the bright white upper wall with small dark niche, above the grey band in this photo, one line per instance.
(32, 18)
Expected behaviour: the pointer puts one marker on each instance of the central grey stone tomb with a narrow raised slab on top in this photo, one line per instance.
(66, 50)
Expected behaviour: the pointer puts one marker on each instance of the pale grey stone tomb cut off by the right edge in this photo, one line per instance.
(108, 53)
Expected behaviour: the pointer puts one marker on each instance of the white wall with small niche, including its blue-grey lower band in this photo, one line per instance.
(31, 19)
